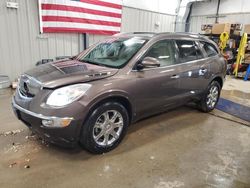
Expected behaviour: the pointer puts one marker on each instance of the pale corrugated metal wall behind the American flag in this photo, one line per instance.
(21, 45)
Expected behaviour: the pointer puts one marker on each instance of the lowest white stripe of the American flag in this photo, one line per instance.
(80, 26)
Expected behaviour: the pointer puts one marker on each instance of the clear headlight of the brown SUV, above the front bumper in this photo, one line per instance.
(66, 95)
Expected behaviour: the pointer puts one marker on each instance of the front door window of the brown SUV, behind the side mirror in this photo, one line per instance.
(164, 52)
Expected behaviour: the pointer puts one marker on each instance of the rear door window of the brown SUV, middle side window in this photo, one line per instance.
(188, 50)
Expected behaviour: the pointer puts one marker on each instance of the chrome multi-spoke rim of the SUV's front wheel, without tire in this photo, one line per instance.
(108, 128)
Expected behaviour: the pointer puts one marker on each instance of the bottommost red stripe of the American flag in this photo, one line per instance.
(76, 30)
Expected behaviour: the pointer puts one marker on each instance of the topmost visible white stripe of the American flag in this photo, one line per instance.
(82, 5)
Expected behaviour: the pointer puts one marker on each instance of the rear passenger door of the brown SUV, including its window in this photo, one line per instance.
(194, 70)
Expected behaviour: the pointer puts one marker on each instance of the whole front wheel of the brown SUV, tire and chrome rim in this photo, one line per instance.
(105, 128)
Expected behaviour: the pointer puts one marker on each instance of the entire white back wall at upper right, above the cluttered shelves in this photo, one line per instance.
(230, 11)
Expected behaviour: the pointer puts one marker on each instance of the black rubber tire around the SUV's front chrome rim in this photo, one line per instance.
(87, 136)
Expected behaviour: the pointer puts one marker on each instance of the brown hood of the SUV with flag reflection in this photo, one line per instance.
(66, 72)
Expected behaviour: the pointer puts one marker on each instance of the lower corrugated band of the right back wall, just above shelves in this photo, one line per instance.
(197, 21)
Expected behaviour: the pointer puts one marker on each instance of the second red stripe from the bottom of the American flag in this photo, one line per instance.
(79, 20)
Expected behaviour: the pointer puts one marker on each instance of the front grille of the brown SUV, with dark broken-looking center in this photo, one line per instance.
(28, 86)
